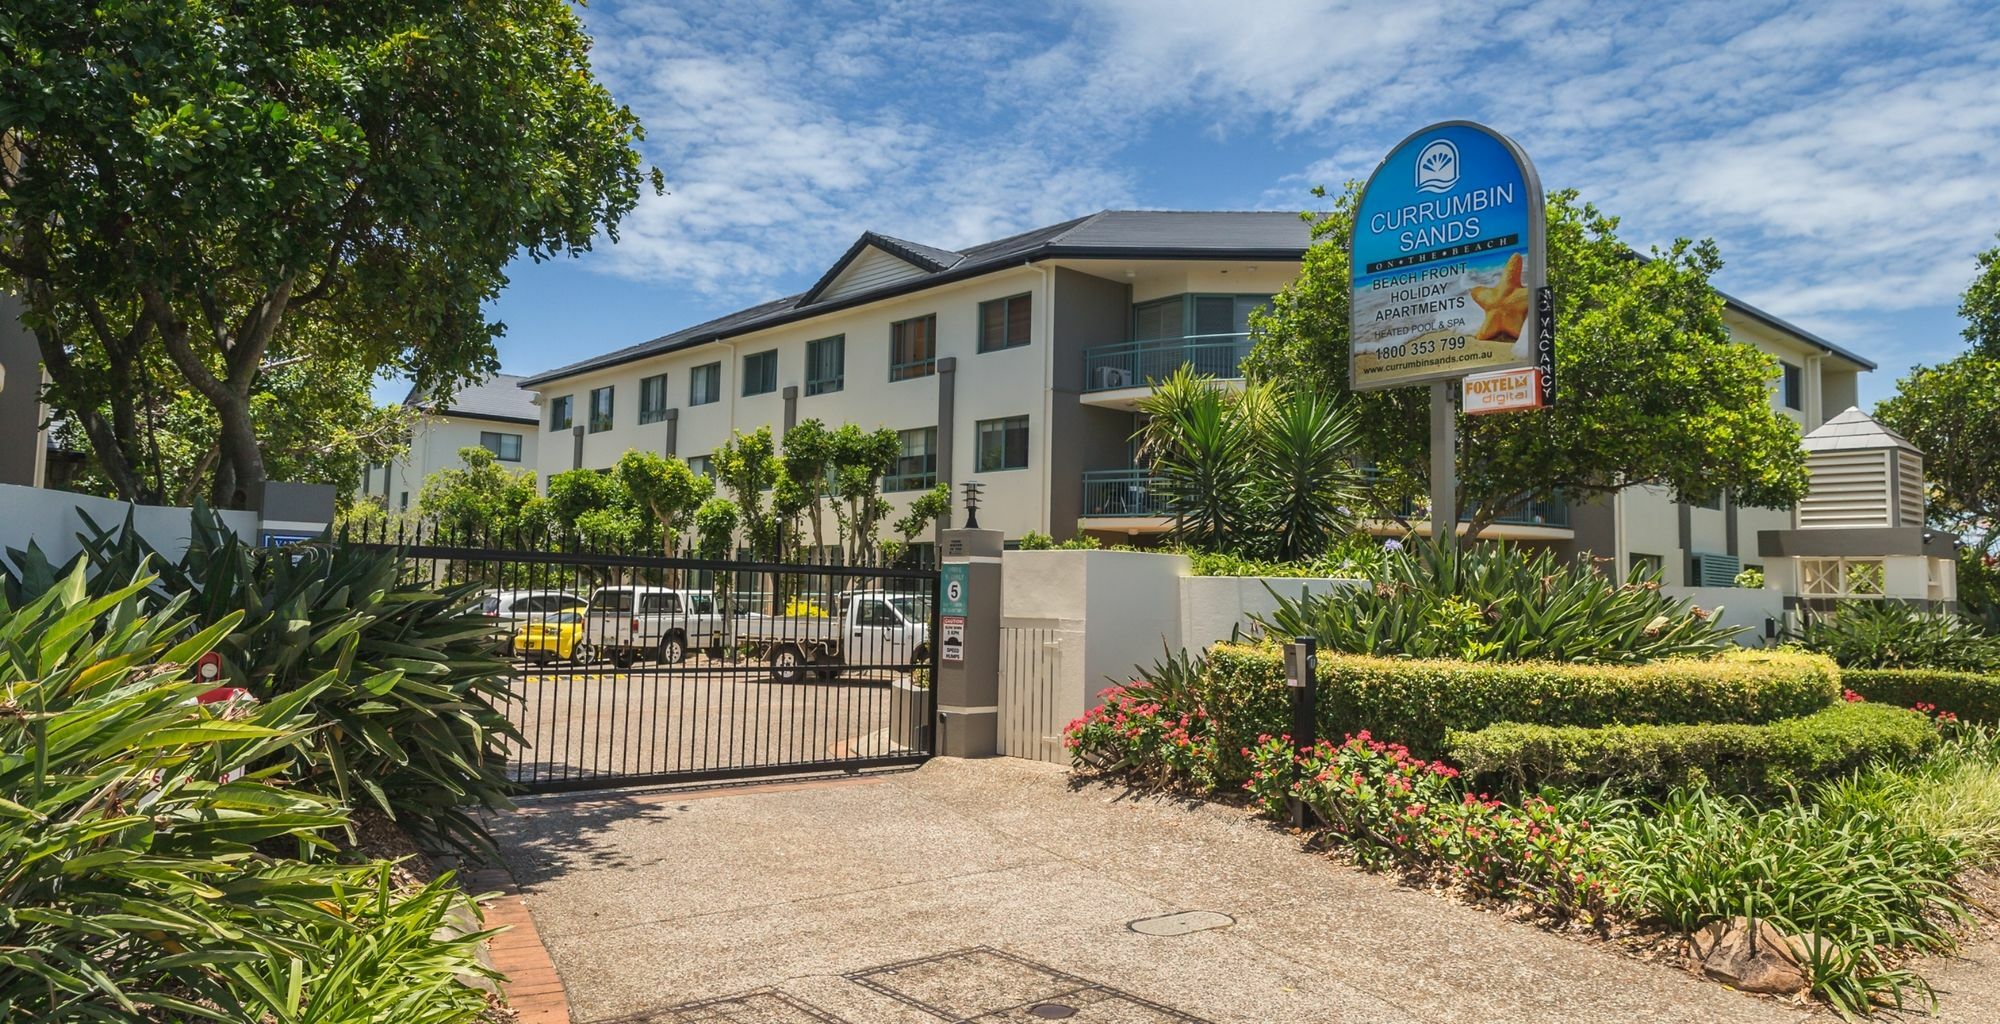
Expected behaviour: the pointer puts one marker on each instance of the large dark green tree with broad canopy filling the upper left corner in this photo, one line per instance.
(201, 185)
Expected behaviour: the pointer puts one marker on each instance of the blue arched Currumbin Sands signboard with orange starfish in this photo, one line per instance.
(1449, 261)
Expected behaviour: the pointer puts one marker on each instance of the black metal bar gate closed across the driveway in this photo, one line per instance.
(641, 667)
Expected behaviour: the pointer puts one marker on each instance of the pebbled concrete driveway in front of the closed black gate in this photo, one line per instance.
(995, 891)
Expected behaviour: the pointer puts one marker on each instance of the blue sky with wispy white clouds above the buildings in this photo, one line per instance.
(1845, 155)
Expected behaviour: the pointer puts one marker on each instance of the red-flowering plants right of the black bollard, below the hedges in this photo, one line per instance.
(1391, 809)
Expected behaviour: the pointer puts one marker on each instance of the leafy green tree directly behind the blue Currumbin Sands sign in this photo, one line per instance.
(1653, 391)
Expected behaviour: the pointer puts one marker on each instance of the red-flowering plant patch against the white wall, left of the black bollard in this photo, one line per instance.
(1131, 733)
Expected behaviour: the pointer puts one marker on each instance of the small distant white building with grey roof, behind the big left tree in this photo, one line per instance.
(495, 415)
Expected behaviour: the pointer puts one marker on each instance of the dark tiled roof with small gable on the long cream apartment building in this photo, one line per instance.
(1107, 235)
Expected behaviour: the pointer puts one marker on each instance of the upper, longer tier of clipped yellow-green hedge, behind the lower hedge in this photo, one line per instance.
(1417, 703)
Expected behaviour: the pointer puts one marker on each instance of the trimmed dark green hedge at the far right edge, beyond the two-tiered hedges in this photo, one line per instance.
(1893, 635)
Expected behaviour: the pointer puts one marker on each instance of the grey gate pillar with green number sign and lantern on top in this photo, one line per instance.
(969, 643)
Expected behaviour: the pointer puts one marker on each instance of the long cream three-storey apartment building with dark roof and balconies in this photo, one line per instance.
(1019, 365)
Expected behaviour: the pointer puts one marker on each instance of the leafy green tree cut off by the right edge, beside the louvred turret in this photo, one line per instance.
(1953, 413)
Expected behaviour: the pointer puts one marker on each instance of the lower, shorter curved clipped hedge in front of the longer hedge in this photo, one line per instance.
(1733, 759)
